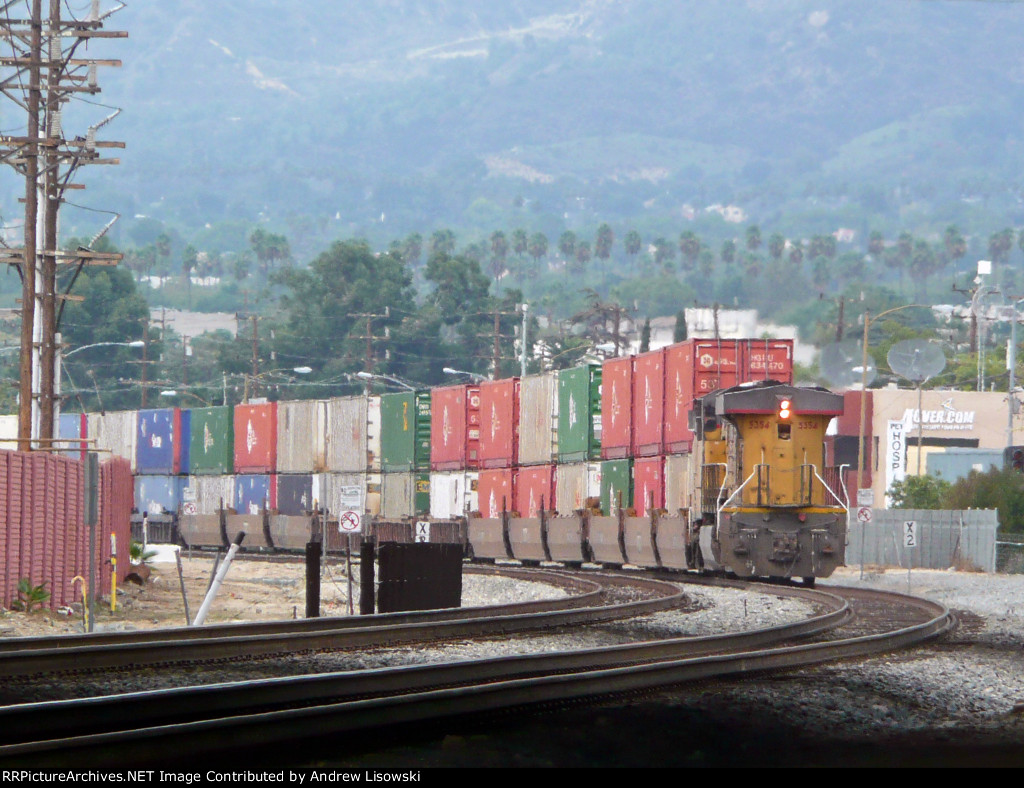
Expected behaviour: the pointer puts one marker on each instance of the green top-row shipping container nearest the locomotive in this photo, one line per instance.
(580, 414)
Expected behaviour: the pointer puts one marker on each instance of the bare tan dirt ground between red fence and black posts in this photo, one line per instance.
(254, 590)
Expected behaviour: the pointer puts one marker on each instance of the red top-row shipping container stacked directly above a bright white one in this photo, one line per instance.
(455, 428)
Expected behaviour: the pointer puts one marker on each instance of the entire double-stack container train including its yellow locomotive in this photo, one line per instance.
(678, 459)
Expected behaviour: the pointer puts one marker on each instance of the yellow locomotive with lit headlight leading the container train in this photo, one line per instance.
(767, 505)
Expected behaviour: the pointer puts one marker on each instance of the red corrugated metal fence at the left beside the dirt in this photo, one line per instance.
(42, 536)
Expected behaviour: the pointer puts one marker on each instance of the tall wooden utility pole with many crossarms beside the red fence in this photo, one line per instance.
(40, 76)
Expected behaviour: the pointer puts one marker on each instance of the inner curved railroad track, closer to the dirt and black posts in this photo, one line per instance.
(589, 603)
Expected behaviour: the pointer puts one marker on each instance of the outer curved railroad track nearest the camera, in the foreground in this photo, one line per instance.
(215, 719)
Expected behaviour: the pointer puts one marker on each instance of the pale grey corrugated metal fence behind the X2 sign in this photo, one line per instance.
(946, 539)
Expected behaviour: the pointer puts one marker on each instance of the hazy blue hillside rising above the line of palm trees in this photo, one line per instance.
(392, 117)
